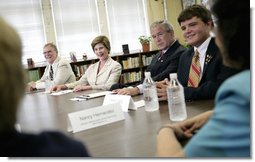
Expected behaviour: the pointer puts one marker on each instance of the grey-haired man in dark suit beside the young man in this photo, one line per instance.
(164, 62)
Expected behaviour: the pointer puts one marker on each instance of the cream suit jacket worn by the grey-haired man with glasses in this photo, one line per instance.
(62, 73)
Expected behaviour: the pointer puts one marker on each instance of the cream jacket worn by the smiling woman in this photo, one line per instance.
(103, 80)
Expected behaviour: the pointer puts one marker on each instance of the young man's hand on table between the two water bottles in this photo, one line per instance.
(161, 90)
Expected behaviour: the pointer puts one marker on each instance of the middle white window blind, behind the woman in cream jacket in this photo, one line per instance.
(76, 24)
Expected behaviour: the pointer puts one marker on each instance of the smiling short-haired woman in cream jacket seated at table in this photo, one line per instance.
(100, 75)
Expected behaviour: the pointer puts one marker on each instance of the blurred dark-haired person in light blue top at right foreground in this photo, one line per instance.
(225, 131)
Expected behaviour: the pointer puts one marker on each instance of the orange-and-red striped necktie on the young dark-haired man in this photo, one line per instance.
(194, 73)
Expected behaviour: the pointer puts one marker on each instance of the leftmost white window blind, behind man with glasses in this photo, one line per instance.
(26, 17)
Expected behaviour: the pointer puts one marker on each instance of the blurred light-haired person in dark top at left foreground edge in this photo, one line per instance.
(14, 143)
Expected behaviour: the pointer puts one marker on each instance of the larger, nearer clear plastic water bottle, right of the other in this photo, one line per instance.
(176, 101)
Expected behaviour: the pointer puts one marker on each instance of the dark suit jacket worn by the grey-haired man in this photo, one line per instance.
(161, 67)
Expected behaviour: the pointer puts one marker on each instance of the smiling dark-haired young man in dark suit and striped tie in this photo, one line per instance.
(203, 81)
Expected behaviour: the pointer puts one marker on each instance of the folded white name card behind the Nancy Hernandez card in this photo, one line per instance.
(125, 101)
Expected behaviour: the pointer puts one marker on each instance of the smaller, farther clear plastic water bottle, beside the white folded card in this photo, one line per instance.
(150, 93)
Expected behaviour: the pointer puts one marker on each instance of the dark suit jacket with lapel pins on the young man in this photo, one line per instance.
(214, 73)
